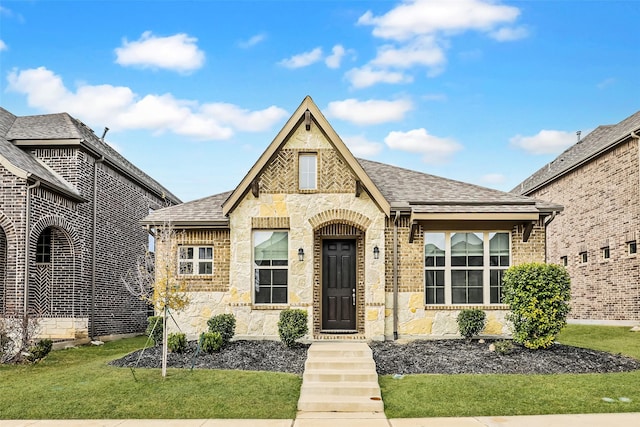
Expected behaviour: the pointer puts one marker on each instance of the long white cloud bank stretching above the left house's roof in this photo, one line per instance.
(120, 108)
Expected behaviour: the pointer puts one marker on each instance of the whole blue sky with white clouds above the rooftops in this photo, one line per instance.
(193, 91)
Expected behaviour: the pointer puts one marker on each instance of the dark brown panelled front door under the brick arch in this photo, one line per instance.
(339, 285)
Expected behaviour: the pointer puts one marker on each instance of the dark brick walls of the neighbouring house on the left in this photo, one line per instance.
(65, 286)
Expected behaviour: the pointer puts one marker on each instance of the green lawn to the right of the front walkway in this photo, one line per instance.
(486, 395)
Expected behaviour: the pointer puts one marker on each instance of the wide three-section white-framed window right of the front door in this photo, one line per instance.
(465, 267)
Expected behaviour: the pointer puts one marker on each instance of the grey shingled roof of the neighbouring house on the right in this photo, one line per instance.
(600, 140)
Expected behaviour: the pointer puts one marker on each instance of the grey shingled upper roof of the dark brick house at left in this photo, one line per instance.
(61, 126)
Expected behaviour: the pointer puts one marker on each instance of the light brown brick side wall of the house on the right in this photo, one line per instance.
(601, 210)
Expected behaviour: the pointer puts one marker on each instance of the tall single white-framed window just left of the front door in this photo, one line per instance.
(271, 266)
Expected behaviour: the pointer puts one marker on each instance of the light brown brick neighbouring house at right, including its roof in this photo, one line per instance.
(596, 236)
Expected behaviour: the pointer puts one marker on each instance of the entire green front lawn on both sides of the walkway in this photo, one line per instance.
(78, 383)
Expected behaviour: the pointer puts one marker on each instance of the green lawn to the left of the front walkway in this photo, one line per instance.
(78, 383)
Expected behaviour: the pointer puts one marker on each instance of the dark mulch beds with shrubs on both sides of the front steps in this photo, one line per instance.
(455, 356)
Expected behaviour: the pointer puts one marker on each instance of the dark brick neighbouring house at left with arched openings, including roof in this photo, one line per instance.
(73, 204)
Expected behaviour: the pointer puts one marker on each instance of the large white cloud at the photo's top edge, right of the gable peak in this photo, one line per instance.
(418, 17)
